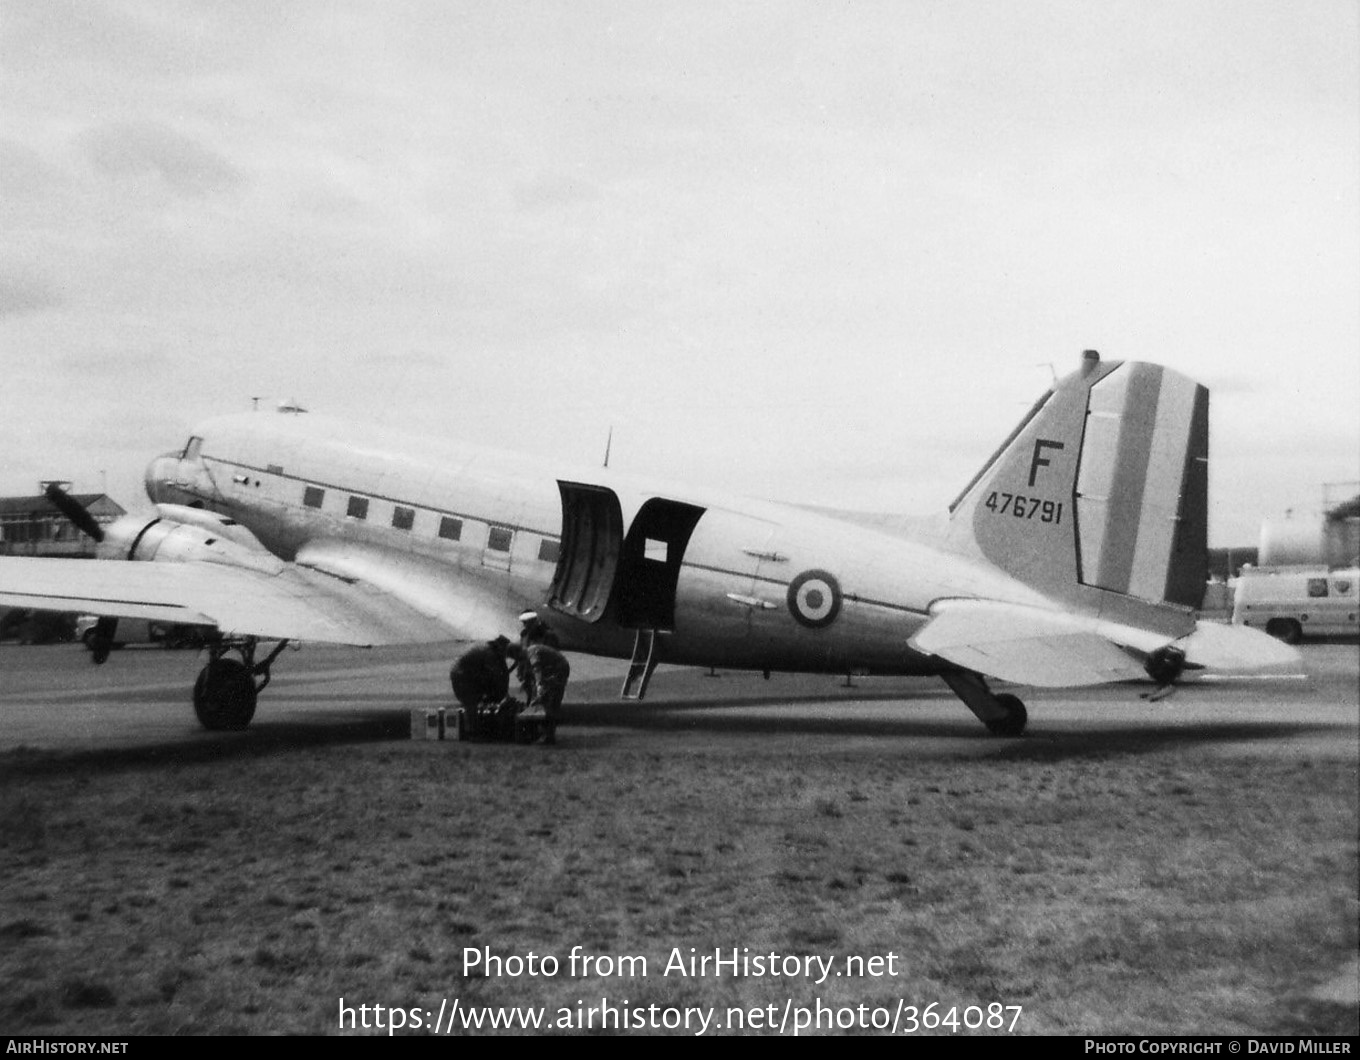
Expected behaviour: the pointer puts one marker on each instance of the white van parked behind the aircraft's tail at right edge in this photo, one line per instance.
(1293, 603)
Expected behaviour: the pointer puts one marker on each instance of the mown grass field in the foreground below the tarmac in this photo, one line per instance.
(251, 885)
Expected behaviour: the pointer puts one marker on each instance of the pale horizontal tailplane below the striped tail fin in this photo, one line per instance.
(1057, 650)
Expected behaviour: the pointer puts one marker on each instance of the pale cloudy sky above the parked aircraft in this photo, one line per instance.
(822, 251)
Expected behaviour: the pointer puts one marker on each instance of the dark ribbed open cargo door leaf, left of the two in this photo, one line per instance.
(592, 545)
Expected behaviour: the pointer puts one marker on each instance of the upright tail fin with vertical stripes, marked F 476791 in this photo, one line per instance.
(1100, 499)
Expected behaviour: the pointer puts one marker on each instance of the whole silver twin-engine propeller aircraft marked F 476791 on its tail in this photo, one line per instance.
(1076, 556)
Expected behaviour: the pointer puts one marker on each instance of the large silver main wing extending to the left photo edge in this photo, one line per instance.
(292, 602)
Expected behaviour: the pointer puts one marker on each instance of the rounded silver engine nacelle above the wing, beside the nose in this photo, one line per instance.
(168, 540)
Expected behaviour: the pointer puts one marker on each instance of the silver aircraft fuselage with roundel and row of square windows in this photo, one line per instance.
(477, 535)
